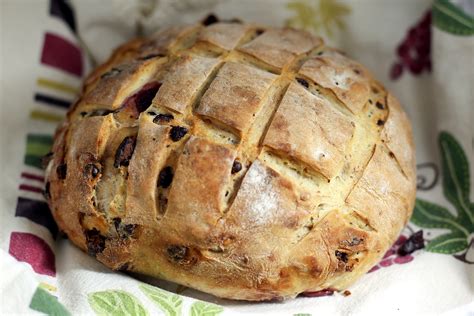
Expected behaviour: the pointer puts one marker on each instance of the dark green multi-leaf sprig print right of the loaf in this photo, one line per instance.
(456, 188)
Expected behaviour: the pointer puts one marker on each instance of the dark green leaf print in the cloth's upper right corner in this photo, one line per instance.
(449, 18)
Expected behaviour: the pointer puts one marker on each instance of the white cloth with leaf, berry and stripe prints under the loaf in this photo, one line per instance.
(421, 50)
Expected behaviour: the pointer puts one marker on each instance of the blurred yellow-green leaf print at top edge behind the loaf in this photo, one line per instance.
(318, 15)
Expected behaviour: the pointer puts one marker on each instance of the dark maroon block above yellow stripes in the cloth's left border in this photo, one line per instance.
(61, 53)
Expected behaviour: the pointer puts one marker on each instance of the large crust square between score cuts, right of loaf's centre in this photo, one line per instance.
(303, 128)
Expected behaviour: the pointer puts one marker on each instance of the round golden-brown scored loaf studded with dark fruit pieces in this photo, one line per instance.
(253, 163)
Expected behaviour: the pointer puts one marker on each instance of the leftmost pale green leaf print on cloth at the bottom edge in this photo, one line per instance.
(117, 303)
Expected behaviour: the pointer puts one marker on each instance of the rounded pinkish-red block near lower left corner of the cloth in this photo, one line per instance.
(30, 248)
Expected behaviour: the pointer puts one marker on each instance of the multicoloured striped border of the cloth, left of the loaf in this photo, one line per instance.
(51, 100)
